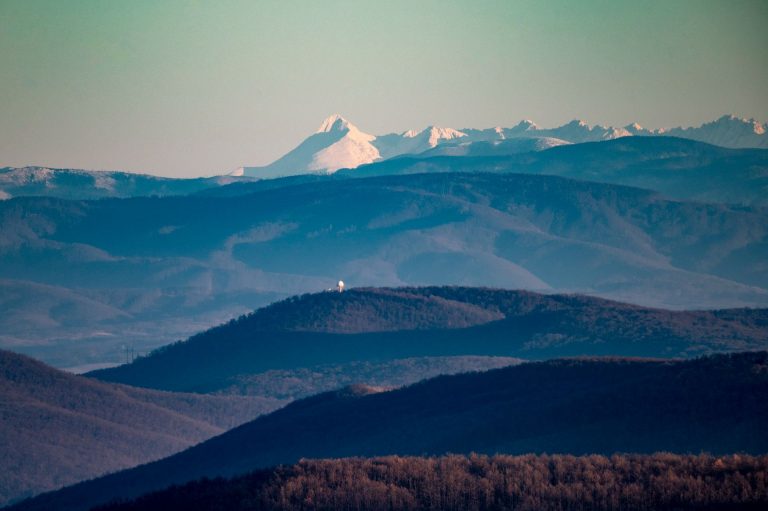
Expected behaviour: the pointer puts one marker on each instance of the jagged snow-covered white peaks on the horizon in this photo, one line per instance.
(340, 144)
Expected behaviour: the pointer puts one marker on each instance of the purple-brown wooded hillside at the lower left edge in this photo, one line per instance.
(57, 429)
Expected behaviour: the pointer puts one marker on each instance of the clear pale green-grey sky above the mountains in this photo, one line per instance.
(194, 88)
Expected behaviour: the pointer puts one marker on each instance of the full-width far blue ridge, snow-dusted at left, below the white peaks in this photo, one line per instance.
(678, 168)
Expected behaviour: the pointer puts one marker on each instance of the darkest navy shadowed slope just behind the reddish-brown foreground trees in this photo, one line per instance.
(715, 404)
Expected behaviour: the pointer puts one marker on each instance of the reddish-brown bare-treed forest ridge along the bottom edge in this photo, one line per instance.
(525, 483)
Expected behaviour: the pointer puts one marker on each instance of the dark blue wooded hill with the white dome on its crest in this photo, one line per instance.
(384, 325)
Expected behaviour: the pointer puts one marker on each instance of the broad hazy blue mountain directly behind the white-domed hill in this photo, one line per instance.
(159, 269)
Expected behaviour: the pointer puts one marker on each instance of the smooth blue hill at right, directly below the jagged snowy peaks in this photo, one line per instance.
(679, 168)
